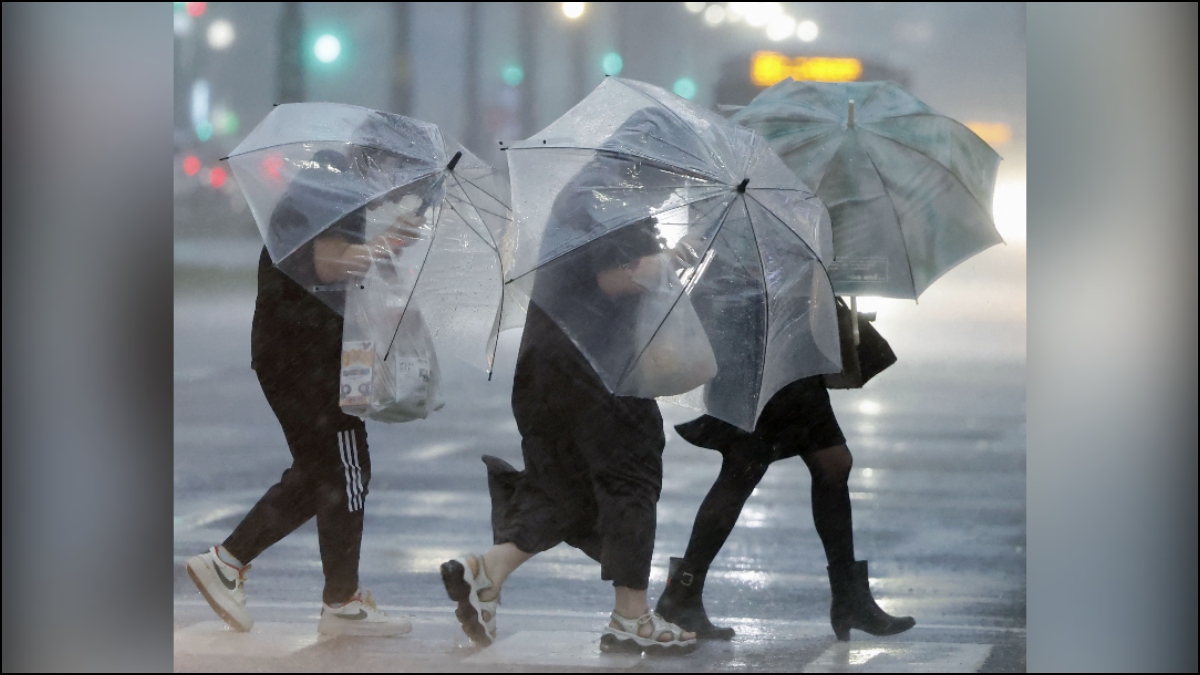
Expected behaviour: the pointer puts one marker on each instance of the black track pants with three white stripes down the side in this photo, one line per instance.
(328, 479)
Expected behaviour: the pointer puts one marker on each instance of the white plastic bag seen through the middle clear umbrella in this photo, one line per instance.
(677, 357)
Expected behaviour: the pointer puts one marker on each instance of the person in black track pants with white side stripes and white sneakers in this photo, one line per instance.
(296, 353)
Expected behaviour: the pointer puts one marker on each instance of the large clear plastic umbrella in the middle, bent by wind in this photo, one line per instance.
(707, 223)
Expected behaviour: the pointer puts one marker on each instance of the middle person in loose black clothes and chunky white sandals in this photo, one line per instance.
(593, 459)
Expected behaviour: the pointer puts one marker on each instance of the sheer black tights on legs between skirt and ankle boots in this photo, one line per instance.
(741, 475)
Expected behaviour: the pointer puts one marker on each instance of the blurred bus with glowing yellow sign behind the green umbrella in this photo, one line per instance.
(745, 76)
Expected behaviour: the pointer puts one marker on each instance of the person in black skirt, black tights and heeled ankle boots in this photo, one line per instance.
(797, 421)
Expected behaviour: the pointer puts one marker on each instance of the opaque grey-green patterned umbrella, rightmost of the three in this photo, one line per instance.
(909, 190)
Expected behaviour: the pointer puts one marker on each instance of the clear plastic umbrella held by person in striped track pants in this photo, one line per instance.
(319, 163)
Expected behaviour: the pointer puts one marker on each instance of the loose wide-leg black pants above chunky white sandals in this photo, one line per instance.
(593, 462)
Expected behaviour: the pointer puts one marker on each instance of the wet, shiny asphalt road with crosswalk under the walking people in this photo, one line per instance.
(938, 491)
